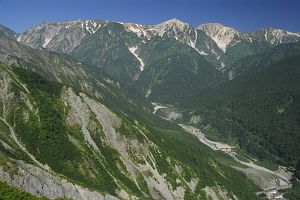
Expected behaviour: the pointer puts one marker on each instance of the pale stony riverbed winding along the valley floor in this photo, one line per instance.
(271, 182)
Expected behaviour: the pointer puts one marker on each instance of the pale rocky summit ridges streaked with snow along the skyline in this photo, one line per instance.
(66, 36)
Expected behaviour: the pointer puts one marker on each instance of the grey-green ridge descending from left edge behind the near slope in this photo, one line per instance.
(66, 70)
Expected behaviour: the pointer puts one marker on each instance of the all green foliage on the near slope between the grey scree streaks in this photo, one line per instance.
(172, 142)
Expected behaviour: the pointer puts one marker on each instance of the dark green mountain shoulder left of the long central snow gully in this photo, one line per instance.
(108, 50)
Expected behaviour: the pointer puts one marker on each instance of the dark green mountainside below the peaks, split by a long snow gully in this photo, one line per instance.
(171, 68)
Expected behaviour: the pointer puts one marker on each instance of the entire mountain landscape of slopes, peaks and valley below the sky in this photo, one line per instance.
(94, 109)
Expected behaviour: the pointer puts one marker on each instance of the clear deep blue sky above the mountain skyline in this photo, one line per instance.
(246, 15)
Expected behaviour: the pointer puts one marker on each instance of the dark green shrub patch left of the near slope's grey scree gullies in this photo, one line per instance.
(45, 132)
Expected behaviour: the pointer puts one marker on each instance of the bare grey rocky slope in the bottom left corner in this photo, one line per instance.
(39, 182)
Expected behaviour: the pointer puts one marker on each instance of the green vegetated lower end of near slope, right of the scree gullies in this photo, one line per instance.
(189, 151)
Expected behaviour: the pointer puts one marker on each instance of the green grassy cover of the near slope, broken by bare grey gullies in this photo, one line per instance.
(171, 140)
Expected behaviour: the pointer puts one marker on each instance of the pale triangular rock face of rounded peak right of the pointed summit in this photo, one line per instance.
(221, 34)
